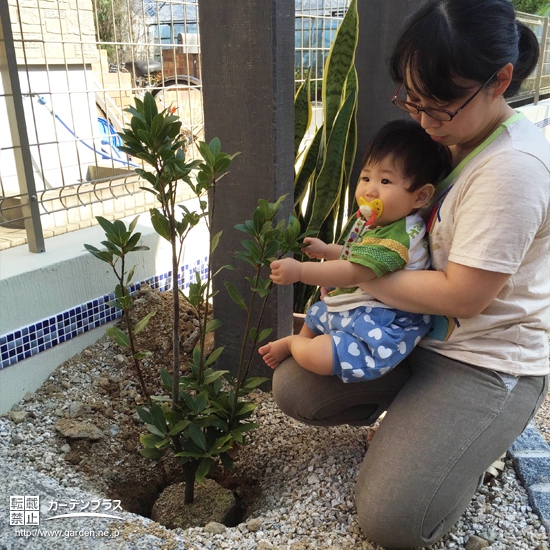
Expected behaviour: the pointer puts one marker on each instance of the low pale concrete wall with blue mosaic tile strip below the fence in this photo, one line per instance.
(37, 288)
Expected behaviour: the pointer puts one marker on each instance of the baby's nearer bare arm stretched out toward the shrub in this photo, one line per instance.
(335, 273)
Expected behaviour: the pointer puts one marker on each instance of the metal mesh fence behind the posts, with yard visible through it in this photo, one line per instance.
(68, 71)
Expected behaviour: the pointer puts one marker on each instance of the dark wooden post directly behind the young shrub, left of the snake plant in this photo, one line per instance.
(247, 57)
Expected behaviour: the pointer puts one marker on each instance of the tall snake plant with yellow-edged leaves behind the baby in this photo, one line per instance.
(323, 168)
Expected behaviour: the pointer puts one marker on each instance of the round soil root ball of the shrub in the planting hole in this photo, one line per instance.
(212, 503)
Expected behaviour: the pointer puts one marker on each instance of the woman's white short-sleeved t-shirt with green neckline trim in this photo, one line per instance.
(496, 217)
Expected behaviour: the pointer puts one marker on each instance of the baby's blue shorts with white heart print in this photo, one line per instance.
(367, 342)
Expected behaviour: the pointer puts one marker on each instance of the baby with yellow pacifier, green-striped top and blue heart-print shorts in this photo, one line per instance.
(350, 334)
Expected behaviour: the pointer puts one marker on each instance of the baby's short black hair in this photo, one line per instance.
(420, 159)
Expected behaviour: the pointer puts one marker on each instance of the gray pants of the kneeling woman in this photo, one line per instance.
(446, 423)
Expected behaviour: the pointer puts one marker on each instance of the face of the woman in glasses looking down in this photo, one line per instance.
(470, 126)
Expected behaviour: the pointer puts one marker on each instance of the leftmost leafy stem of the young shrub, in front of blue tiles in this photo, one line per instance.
(120, 242)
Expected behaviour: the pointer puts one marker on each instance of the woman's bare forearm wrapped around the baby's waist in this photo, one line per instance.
(461, 291)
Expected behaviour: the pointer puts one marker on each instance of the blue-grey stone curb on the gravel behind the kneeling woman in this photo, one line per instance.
(531, 458)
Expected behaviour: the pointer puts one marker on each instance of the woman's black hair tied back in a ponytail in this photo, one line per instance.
(446, 40)
